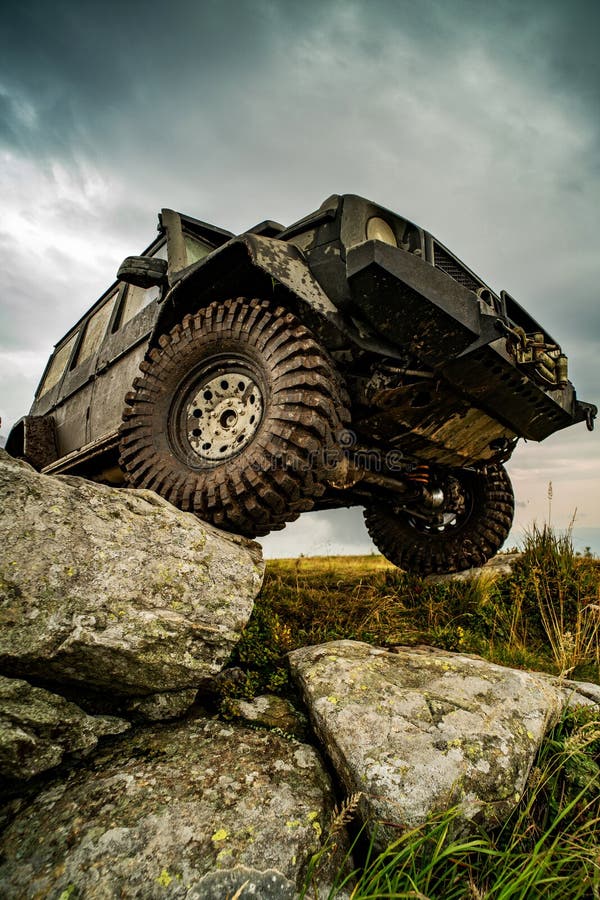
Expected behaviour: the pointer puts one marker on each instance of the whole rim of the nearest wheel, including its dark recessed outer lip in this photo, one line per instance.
(219, 414)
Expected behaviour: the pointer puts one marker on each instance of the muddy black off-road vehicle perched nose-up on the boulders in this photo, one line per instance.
(348, 359)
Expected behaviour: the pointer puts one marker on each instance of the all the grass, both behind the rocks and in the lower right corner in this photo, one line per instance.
(544, 616)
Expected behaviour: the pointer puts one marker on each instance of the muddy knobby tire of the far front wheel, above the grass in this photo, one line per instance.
(470, 541)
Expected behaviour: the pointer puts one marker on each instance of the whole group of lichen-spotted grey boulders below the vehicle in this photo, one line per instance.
(124, 605)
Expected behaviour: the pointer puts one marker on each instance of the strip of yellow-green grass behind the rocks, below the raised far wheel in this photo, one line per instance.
(544, 616)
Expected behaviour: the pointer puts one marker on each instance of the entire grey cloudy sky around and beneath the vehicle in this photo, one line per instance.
(479, 121)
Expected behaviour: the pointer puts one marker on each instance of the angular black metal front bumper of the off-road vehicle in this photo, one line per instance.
(428, 314)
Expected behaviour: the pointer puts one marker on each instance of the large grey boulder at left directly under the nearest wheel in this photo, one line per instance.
(115, 589)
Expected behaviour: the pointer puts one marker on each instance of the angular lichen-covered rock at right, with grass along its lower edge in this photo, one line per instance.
(419, 732)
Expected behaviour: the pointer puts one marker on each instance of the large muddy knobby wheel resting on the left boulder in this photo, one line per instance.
(281, 465)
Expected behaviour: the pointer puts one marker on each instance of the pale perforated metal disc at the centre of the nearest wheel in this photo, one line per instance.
(223, 415)
